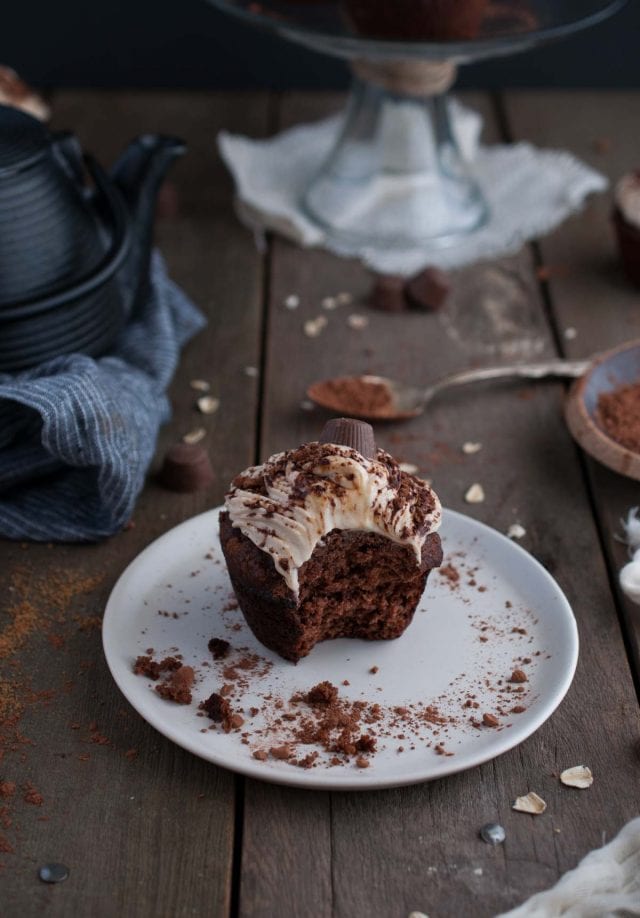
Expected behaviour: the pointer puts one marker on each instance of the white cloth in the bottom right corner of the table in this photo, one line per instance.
(605, 884)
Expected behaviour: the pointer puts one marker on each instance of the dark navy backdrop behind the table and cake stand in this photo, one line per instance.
(187, 43)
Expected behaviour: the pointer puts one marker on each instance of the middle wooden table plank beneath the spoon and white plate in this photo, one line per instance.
(418, 848)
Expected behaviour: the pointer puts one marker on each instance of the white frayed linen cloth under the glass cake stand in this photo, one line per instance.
(529, 191)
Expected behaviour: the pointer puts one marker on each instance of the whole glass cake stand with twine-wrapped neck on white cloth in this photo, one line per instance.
(396, 175)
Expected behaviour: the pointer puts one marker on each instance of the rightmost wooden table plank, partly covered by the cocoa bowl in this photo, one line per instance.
(589, 291)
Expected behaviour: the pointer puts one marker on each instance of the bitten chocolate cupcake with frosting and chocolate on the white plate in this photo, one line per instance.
(329, 540)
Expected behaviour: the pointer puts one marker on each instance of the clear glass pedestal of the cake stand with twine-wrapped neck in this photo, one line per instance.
(396, 174)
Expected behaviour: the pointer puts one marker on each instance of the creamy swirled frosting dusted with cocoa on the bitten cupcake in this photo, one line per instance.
(287, 505)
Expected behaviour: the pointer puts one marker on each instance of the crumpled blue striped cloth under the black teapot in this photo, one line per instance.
(77, 434)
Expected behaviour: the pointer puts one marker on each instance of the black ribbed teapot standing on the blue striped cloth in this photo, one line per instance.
(74, 257)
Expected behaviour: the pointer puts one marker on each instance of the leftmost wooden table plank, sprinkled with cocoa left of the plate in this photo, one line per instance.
(150, 834)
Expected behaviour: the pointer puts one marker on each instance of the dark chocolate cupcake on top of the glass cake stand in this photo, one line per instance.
(417, 20)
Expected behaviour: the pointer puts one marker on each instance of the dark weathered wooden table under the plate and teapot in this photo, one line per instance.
(162, 833)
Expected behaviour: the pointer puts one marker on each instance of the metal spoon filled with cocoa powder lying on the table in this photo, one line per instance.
(389, 400)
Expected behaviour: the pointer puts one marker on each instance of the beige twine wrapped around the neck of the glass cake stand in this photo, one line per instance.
(407, 77)
